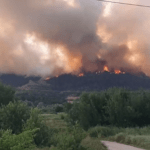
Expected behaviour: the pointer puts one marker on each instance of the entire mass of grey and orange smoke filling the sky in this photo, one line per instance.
(53, 37)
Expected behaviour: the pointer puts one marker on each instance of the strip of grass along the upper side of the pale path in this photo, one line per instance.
(138, 137)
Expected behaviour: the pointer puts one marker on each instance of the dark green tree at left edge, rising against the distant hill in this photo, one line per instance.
(6, 94)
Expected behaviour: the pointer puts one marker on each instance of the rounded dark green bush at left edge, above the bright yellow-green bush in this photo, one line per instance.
(14, 116)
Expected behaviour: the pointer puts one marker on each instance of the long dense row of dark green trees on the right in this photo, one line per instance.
(116, 106)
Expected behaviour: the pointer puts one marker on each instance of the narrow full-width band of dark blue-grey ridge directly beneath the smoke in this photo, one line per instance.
(89, 82)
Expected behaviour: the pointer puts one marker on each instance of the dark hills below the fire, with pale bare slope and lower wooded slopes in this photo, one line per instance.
(57, 89)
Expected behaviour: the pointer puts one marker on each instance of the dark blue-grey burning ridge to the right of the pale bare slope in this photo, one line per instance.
(101, 81)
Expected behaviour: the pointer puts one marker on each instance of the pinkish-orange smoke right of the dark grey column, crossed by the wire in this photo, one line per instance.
(126, 27)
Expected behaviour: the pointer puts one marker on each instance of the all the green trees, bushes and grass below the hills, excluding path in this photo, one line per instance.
(95, 116)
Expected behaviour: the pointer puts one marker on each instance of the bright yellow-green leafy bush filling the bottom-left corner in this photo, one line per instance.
(22, 141)
